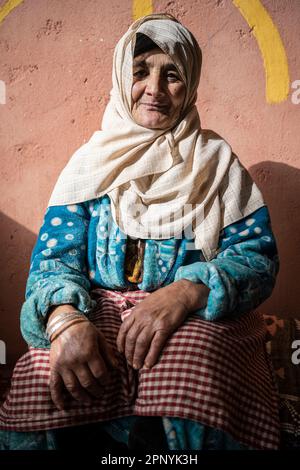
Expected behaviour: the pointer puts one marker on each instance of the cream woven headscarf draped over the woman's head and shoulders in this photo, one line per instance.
(160, 182)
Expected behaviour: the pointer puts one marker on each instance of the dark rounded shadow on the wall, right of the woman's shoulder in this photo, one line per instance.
(280, 185)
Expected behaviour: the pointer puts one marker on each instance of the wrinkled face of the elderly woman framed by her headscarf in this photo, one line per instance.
(157, 92)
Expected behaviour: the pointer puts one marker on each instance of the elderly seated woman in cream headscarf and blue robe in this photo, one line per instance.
(154, 251)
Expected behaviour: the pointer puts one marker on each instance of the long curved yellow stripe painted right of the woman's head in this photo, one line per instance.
(271, 47)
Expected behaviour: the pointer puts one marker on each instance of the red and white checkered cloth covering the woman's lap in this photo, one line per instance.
(217, 373)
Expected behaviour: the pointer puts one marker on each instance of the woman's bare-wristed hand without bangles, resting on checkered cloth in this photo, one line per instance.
(145, 331)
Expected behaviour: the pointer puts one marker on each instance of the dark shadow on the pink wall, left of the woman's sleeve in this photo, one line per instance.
(16, 246)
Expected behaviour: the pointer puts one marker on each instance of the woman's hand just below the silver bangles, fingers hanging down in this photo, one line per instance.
(80, 359)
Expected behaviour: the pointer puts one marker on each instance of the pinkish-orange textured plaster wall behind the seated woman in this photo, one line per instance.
(55, 62)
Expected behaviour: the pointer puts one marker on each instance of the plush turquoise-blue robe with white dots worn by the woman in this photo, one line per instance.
(79, 247)
